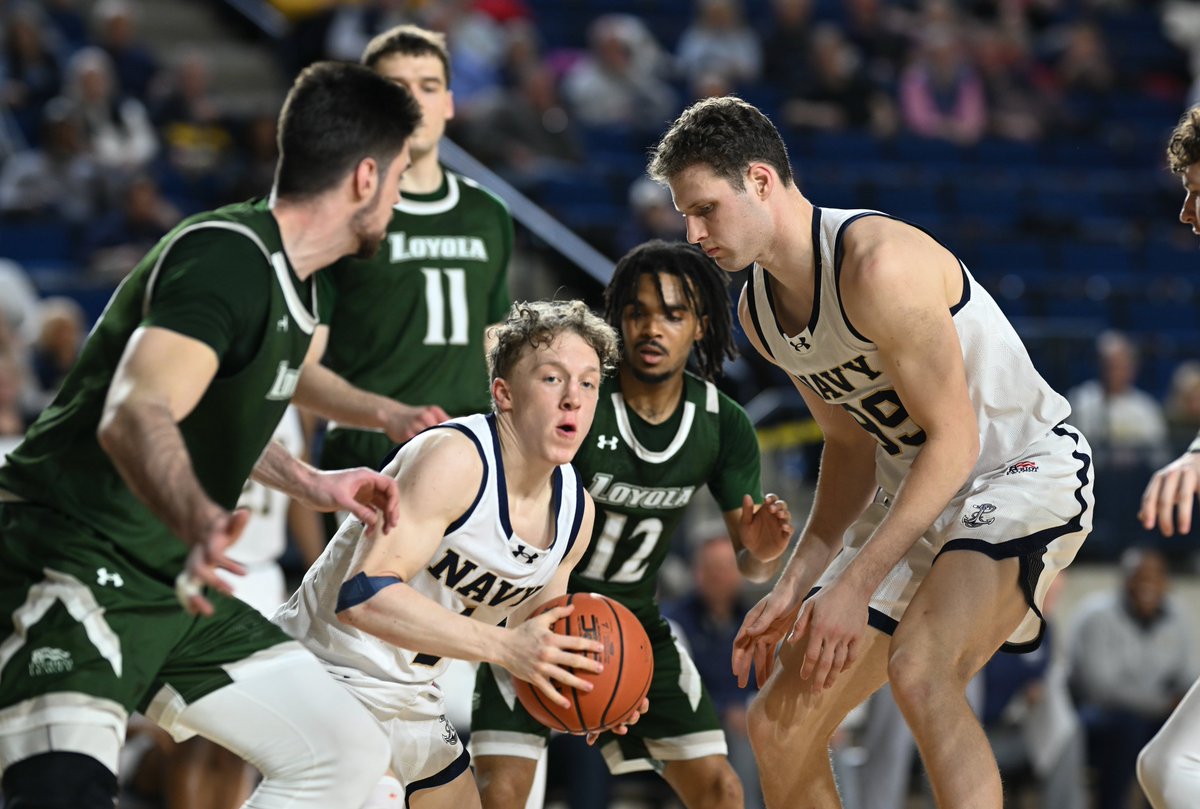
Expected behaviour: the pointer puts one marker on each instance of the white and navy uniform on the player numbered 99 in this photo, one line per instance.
(1030, 495)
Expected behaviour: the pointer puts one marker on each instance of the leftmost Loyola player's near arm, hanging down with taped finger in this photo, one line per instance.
(160, 380)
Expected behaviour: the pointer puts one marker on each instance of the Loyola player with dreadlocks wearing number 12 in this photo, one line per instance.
(661, 435)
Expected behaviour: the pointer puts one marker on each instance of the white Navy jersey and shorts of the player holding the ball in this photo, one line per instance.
(482, 570)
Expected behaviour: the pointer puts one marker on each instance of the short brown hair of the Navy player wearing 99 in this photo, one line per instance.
(725, 134)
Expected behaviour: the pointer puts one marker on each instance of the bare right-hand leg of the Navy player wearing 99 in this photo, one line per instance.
(968, 607)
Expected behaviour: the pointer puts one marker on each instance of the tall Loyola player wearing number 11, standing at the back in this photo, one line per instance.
(410, 322)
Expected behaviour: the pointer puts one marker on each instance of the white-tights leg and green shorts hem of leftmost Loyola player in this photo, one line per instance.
(239, 681)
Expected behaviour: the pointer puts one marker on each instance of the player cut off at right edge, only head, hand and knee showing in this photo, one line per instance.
(1169, 768)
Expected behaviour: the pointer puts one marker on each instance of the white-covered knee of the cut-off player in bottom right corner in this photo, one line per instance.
(1169, 768)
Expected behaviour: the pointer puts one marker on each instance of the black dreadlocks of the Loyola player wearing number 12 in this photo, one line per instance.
(705, 286)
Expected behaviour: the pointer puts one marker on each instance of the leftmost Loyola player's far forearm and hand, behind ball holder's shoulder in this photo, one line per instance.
(365, 494)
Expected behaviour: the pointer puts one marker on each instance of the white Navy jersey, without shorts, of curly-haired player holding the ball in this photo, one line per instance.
(481, 570)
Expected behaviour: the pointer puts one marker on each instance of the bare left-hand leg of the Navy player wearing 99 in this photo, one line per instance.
(791, 727)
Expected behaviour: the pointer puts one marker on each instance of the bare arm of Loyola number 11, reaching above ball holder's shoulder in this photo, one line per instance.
(327, 394)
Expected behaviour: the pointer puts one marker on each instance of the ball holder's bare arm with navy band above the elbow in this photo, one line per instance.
(439, 476)
